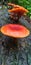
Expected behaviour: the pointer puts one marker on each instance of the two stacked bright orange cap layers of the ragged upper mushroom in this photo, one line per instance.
(17, 8)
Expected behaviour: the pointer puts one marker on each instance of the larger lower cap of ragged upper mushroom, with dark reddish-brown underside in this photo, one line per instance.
(19, 11)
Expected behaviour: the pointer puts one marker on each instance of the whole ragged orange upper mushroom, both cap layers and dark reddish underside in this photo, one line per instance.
(19, 10)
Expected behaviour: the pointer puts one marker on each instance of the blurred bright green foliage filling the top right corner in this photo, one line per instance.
(26, 4)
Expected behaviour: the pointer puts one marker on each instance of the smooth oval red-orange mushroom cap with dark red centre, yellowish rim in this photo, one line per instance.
(14, 30)
